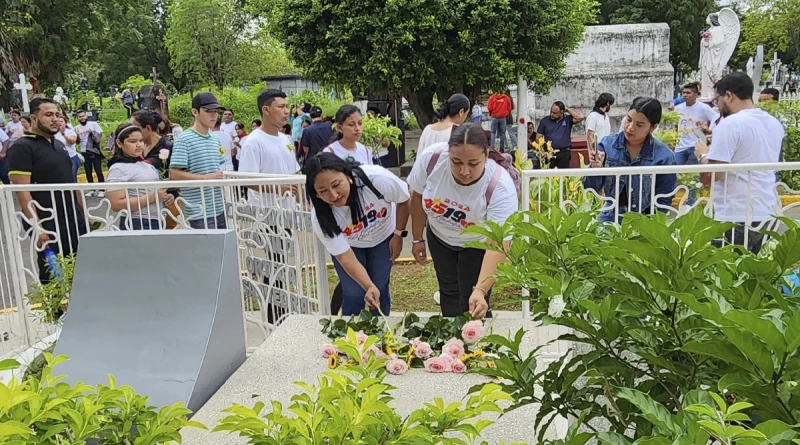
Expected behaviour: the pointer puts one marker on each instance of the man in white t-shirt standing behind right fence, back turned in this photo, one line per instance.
(747, 135)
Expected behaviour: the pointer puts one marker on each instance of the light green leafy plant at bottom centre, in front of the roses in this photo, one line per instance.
(351, 405)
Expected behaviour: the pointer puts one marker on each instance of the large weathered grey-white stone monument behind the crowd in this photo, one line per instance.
(624, 60)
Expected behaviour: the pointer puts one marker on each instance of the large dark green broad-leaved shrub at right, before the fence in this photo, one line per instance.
(655, 310)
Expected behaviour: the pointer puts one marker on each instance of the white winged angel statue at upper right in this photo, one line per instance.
(716, 47)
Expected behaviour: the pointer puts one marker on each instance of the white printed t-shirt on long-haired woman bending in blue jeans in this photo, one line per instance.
(379, 219)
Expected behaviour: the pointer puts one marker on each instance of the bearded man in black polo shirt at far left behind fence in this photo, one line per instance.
(39, 158)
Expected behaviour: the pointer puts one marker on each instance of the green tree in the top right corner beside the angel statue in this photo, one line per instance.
(774, 25)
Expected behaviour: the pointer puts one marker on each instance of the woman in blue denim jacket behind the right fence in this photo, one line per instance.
(636, 146)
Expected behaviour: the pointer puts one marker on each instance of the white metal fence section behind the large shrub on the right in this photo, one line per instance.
(727, 192)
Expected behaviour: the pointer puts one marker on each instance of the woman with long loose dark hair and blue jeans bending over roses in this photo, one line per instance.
(360, 215)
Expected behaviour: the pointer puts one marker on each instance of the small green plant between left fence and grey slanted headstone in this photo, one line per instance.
(52, 298)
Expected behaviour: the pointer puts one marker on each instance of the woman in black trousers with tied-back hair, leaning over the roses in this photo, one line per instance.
(455, 185)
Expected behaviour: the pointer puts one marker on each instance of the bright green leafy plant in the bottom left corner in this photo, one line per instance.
(48, 411)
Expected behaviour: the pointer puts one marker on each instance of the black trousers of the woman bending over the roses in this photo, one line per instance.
(457, 271)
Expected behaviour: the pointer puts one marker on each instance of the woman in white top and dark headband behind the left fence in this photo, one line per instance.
(129, 165)
